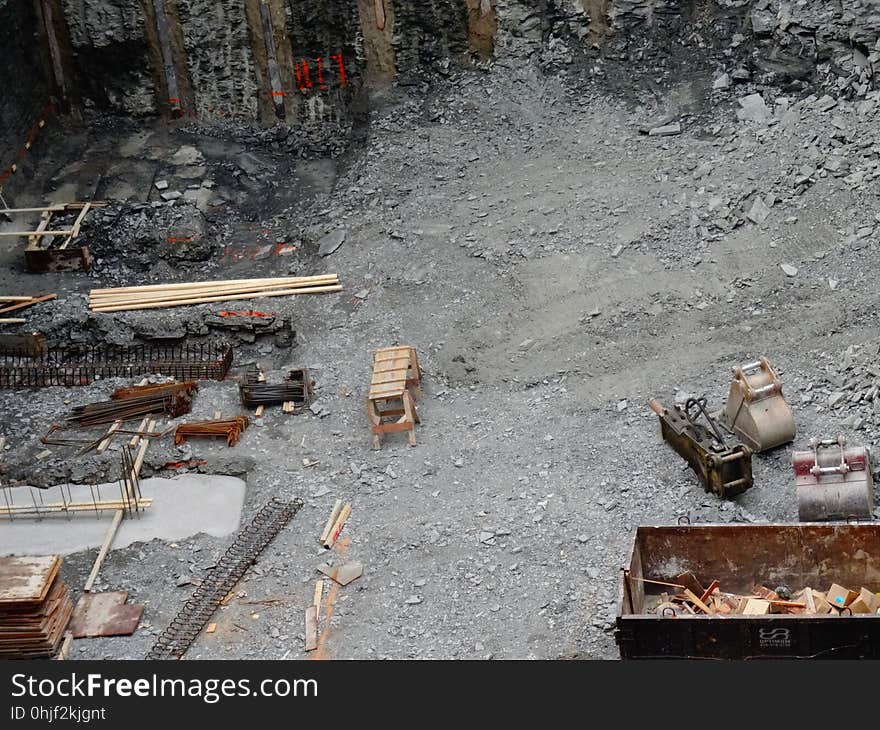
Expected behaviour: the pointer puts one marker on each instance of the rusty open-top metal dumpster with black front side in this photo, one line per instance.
(739, 557)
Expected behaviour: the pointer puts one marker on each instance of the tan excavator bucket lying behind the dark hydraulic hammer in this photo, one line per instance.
(756, 412)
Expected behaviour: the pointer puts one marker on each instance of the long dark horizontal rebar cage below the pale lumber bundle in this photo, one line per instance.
(20, 368)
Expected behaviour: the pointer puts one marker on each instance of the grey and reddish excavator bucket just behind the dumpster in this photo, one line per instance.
(833, 482)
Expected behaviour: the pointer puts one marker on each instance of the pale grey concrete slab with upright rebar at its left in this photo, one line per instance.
(183, 506)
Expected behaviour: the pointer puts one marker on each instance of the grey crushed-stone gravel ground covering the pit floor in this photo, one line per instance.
(555, 268)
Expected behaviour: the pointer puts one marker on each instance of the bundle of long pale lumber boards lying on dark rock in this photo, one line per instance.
(156, 296)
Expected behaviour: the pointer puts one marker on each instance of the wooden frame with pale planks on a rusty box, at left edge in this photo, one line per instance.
(41, 255)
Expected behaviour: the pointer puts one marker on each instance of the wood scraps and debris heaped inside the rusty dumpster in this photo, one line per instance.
(692, 598)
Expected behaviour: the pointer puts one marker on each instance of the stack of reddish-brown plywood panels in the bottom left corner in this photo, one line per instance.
(35, 607)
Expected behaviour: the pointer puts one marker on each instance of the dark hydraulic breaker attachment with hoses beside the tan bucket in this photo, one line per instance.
(724, 468)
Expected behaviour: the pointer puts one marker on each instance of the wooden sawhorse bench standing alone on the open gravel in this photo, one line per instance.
(396, 382)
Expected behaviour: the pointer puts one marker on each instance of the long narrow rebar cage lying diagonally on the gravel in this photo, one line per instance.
(223, 577)
